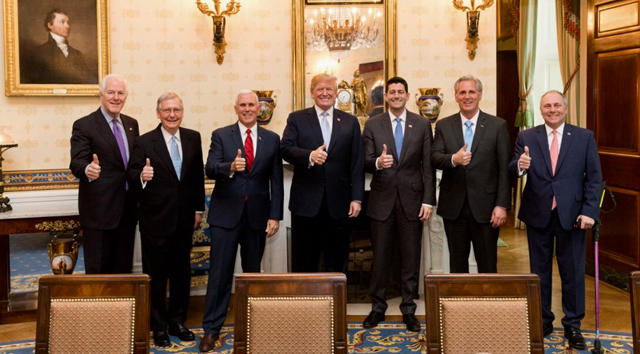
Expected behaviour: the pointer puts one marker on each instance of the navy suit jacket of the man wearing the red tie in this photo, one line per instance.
(262, 186)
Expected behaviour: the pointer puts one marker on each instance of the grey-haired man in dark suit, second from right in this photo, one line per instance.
(472, 149)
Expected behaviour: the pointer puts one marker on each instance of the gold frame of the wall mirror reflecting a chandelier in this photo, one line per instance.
(301, 77)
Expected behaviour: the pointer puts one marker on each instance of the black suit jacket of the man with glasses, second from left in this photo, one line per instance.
(167, 203)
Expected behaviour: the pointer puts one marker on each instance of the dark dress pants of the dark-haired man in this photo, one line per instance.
(385, 234)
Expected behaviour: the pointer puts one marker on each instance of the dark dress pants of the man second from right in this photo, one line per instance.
(463, 231)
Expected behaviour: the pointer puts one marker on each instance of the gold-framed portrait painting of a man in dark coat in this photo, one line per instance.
(55, 47)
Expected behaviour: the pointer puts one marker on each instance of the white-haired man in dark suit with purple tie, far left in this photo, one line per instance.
(100, 145)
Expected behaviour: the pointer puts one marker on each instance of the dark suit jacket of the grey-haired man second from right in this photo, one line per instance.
(485, 181)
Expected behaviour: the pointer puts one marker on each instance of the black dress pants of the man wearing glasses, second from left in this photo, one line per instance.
(168, 258)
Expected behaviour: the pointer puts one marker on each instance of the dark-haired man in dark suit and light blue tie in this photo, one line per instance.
(397, 147)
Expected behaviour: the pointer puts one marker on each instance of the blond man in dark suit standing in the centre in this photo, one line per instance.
(324, 145)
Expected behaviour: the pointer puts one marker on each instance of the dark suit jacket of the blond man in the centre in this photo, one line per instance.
(341, 176)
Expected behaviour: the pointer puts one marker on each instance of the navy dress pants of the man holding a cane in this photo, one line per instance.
(571, 250)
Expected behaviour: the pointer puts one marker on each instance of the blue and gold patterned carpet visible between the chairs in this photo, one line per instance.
(389, 337)
